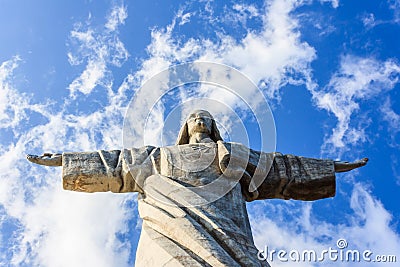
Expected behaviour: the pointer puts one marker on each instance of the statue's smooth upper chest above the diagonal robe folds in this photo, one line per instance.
(193, 164)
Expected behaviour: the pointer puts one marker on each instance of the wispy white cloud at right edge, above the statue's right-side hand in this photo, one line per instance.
(358, 79)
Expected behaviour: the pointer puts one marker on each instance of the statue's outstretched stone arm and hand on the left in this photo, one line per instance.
(102, 170)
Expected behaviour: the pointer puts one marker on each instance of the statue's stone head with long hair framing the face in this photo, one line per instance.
(198, 121)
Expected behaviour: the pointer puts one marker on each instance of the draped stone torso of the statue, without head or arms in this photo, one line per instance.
(185, 174)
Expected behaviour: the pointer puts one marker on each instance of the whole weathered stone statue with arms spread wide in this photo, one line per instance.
(210, 226)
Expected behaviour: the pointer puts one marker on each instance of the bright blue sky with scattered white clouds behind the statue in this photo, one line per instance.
(329, 70)
